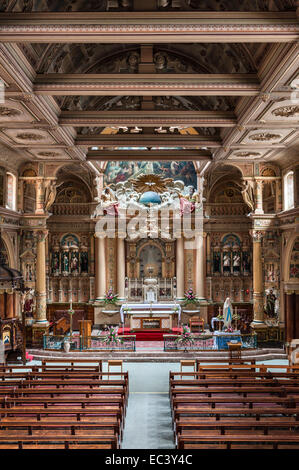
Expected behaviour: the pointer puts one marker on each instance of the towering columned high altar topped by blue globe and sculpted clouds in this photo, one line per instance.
(151, 252)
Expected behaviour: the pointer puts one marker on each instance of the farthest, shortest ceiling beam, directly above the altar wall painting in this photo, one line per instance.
(148, 155)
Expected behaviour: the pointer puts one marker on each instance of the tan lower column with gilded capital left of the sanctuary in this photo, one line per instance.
(40, 283)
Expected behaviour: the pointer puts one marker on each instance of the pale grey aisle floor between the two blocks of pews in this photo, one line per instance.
(148, 423)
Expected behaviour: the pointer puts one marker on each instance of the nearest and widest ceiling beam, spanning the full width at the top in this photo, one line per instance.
(149, 27)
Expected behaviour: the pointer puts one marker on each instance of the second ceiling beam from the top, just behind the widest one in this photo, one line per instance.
(147, 84)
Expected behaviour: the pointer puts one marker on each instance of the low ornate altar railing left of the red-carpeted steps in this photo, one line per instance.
(90, 343)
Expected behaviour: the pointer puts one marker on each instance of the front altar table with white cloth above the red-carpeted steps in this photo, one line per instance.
(151, 316)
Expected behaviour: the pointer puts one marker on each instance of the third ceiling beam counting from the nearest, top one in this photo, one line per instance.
(147, 118)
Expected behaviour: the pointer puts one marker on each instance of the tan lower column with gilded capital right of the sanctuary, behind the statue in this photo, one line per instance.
(258, 284)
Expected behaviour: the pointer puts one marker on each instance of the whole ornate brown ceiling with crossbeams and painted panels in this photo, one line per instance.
(195, 80)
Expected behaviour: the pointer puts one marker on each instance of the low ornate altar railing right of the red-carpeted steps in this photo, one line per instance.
(204, 342)
